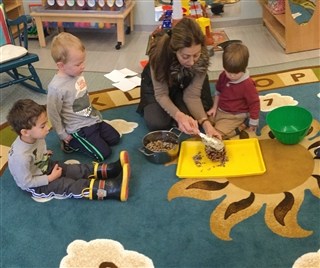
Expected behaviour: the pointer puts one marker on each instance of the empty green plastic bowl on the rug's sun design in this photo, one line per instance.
(289, 124)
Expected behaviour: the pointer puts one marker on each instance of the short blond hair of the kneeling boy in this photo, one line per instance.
(62, 44)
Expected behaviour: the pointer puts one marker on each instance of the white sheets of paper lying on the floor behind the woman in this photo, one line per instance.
(124, 79)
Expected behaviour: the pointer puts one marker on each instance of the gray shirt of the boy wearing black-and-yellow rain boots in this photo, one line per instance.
(28, 163)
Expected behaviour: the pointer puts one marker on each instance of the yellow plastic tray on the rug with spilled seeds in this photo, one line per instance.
(244, 159)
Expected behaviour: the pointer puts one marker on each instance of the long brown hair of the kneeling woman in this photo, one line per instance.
(185, 33)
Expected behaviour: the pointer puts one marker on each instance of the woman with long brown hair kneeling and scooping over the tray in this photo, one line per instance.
(175, 87)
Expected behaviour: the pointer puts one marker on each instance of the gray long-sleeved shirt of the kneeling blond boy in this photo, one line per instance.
(68, 105)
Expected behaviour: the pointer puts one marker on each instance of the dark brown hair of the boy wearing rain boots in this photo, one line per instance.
(24, 114)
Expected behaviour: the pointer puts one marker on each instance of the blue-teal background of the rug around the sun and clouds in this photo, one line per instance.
(172, 233)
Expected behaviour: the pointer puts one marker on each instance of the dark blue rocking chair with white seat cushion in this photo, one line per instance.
(14, 54)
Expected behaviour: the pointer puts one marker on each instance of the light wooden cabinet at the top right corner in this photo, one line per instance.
(293, 37)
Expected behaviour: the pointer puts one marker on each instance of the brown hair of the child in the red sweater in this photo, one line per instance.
(235, 58)
